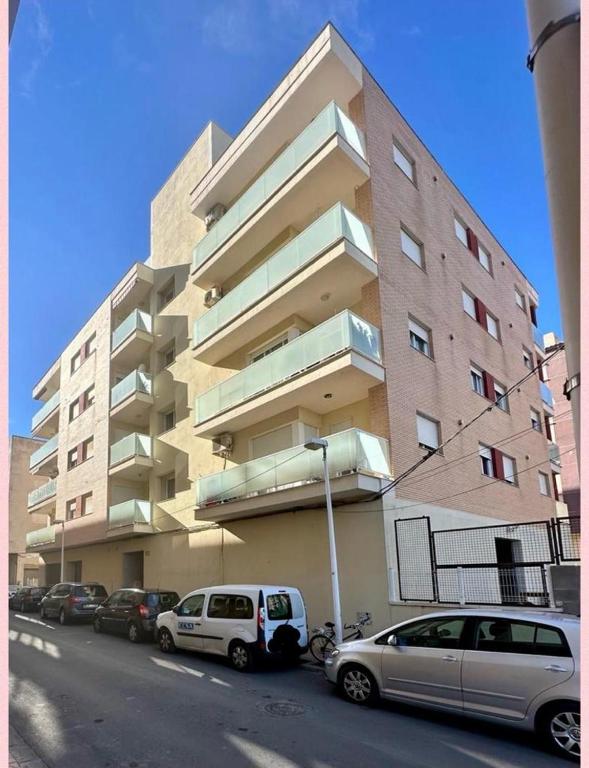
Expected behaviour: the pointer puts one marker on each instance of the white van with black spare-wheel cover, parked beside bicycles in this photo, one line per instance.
(240, 621)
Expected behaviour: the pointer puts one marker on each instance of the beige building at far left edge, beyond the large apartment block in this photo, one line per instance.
(23, 566)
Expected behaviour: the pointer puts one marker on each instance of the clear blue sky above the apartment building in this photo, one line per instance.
(106, 96)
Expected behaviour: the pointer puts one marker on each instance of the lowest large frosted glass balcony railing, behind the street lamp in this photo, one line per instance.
(351, 451)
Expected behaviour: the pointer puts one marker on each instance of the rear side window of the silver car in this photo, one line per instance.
(506, 636)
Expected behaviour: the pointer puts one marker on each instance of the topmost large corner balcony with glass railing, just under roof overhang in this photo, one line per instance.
(323, 165)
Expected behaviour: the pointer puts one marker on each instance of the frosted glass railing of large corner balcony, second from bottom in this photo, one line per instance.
(345, 331)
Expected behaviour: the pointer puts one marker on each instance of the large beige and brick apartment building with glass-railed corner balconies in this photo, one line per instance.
(316, 275)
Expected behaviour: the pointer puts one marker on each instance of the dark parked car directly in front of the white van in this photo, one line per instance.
(133, 612)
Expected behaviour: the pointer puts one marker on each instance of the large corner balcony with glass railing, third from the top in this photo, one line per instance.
(341, 357)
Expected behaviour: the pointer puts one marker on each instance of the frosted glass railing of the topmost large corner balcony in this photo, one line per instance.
(329, 122)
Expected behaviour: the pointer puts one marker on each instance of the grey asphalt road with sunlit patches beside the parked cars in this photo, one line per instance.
(83, 700)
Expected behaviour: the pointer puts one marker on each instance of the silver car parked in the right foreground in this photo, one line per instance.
(509, 666)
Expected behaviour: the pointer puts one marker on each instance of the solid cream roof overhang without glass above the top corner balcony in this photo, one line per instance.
(327, 70)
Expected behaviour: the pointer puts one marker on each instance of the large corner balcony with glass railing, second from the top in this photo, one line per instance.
(336, 250)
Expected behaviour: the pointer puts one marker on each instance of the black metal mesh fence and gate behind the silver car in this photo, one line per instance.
(490, 565)
